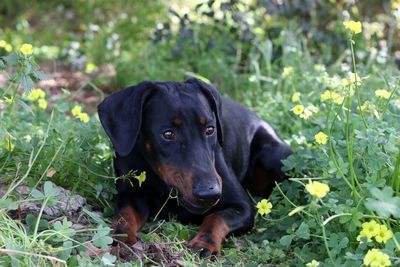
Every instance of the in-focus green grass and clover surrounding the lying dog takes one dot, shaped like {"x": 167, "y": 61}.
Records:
{"x": 360, "y": 162}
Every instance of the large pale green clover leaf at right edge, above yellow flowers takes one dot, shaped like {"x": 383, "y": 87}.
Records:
{"x": 384, "y": 203}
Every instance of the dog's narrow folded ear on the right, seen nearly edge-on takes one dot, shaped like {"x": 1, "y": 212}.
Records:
{"x": 214, "y": 98}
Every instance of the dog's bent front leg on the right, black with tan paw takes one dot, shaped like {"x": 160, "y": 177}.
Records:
{"x": 235, "y": 214}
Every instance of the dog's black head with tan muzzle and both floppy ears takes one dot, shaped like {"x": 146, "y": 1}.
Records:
{"x": 176, "y": 127}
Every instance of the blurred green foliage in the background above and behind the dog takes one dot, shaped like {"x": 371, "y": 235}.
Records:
{"x": 124, "y": 42}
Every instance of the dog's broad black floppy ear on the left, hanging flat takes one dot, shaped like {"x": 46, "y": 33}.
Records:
{"x": 121, "y": 115}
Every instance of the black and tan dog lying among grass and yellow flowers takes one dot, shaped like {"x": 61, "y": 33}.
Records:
{"x": 184, "y": 135}
